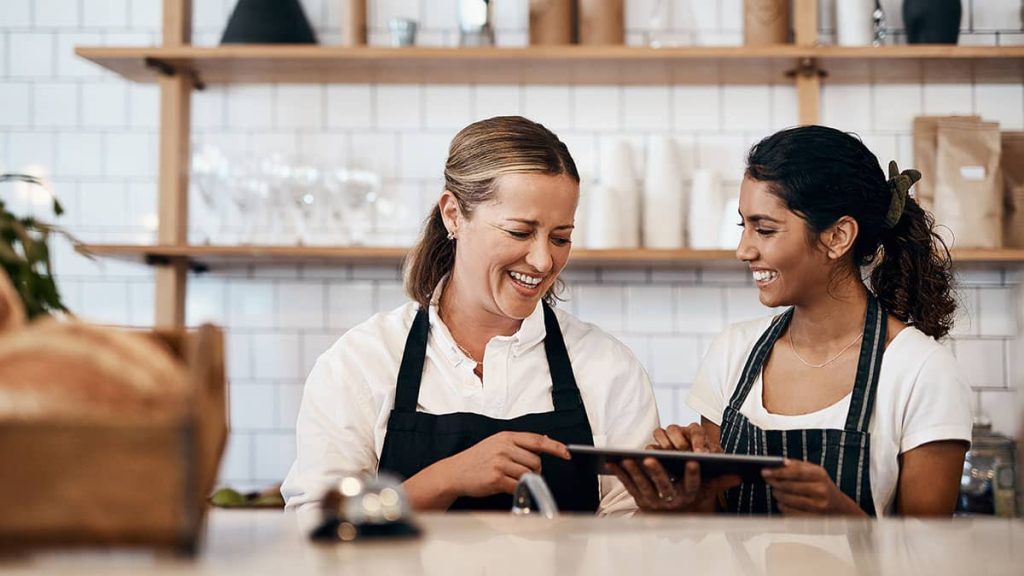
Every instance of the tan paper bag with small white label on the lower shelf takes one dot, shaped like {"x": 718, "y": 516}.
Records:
{"x": 969, "y": 185}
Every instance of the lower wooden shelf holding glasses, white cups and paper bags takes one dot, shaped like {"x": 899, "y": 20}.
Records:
{"x": 206, "y": 258}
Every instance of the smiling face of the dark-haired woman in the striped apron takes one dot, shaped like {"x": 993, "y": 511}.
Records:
{"x": 788, "y": 270}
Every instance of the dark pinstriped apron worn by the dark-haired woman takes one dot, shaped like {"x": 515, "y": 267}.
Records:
{"x": 845, "y": 455}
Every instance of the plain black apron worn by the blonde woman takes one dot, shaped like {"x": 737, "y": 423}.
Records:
{"x": 416, "y": 440}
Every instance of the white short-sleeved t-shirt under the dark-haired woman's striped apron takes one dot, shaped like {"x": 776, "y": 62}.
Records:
{"x": 921, "y": 398}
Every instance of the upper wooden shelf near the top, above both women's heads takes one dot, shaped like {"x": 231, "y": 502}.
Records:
{"x": 563, "y": 65}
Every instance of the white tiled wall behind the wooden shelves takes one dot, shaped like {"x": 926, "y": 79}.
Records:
{"x": 96, "y": 136}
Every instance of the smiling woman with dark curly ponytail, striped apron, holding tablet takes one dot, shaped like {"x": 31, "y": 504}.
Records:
{"x": 849, "y": 384}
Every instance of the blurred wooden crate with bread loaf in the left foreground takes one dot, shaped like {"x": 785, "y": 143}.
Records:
{"x": 110, "y": 437}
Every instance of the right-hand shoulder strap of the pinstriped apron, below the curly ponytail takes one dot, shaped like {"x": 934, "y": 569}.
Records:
{"x": 869, "y": 367}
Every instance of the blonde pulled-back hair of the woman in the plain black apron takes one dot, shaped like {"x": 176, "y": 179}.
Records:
{"x": 479, "y": 155}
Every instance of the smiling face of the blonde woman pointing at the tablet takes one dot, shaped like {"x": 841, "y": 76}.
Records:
{"x": 513, "y": 249}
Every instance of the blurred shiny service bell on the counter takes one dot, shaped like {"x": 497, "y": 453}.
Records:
{"x": 365, "y": 508}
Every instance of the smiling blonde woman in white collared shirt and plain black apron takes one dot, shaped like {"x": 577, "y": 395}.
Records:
{"x": 480, "y": 380}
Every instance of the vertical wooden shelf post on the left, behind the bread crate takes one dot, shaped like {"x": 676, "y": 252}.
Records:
{"x": 176, "y": 126}
